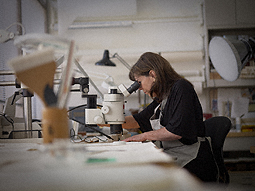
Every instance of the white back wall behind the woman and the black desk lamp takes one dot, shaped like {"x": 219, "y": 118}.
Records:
{"x": 172, "y": 27}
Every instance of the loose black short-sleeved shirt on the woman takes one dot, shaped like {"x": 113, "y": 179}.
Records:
{"x": 182, "y": 114}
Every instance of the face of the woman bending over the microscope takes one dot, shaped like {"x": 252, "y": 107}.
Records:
{"x": 146, "y": 82}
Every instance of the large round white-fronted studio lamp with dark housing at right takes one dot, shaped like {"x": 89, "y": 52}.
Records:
{"x": 229, "y": 56}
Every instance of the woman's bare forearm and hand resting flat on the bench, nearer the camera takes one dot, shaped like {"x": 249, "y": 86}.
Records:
{"x": 158, "y": 135}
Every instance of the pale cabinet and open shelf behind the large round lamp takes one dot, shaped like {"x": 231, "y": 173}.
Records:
{"x": 227, "y": 17}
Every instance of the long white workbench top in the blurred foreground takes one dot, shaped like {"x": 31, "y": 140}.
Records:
{"x": 25, "y": 165}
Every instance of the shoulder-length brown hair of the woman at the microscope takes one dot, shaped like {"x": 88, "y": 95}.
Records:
{"x": 166, "y": 76}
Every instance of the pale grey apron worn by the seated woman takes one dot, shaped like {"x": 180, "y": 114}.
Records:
{"x": 181, "y": 152}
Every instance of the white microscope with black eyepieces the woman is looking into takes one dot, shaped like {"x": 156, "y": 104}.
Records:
{"x": 112, "y": 109}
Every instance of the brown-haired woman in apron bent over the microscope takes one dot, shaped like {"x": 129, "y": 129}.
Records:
{"x": 174, "y": 117}
